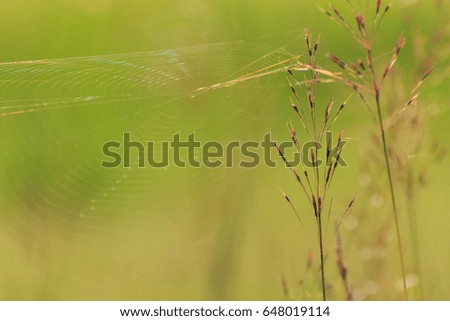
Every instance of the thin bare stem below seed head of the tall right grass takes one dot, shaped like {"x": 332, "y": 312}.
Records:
{"x": 391, "y": 187}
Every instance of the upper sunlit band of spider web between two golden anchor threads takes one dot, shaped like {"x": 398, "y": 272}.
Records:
{"x": 30, "y": 86}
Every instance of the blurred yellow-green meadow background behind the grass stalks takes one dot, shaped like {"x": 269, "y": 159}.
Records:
{"x": 75, "y": 74}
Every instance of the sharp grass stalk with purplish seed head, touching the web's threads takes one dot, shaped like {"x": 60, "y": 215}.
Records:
{"x": 316, "y": 125}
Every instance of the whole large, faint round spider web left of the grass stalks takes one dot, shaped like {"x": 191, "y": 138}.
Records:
{"x": 55, "y": 114}
